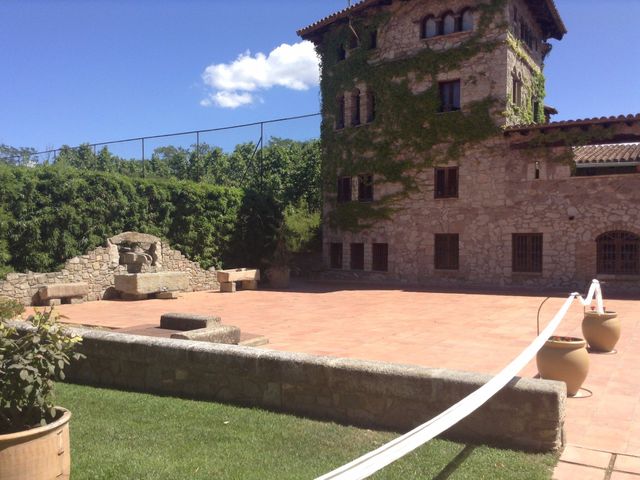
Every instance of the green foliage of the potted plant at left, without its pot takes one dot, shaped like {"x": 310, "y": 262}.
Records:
{"x": 29, "y": 364}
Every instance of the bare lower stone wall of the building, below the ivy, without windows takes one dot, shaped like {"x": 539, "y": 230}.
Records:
{"x": 499, "y": 196}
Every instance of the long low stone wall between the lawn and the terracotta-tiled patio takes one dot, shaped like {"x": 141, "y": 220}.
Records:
{"x": 527, "y": 414}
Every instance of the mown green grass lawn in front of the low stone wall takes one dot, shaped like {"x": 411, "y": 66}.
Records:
{"x": 122, "y": 435}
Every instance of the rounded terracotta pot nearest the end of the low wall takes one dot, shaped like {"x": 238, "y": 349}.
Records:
{"x": 564, "y": 359}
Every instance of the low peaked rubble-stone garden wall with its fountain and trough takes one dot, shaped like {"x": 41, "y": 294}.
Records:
{"x": 131, "y": 266}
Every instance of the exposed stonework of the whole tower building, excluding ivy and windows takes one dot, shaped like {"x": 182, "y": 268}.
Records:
{"x": 507, "y": 184}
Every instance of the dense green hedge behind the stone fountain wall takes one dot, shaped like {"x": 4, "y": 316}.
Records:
{"x": 49, "y": 214}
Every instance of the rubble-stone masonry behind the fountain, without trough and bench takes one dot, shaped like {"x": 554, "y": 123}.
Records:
{"x": 98, "y": 267}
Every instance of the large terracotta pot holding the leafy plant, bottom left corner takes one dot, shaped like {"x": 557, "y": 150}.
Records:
{"x": 37, "y": 454}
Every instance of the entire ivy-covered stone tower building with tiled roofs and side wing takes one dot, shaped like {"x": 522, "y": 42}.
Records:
{"x": 440, "y": 165}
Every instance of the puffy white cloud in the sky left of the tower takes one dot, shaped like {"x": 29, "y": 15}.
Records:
{"x": 290, "y": 66}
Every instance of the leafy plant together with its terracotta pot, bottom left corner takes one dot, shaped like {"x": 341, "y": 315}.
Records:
{"x": 34, "y": 434}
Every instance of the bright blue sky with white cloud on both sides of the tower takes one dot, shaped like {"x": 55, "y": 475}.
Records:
{"x": 78, "y": 71}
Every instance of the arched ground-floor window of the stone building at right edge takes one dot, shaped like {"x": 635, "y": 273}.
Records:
{"x": 618, "y": 253}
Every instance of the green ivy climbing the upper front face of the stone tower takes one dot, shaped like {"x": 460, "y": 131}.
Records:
{"x": 408, "y": 134}
